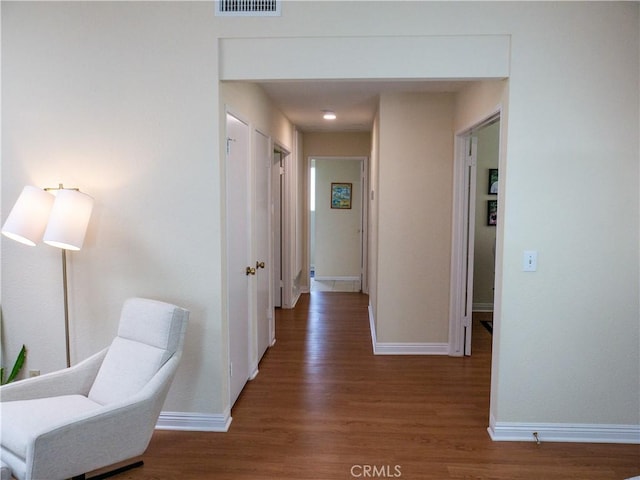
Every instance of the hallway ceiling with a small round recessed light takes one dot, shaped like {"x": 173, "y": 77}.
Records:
{"x": 354, "y": 102}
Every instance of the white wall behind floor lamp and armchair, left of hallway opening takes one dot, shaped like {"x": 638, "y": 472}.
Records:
{"x": 118, "y": 100}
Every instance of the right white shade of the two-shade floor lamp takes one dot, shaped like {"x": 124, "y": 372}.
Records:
{"x": 69, "y": 219}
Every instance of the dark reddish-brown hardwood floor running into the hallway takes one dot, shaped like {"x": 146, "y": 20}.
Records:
{"x": 323, "y": 407}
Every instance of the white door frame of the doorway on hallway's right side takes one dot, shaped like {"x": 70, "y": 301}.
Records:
{"x": 463, "y": 229}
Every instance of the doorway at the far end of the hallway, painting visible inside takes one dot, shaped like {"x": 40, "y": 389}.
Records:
{"x": 337, "y": 224}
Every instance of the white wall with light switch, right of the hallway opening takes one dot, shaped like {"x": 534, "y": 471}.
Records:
{"x": 586, "y": 286}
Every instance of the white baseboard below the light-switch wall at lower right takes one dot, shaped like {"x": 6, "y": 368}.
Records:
{"x": 564, "y": 432}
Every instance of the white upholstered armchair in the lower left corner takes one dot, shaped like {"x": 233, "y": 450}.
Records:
{"x": 101, "y": 411}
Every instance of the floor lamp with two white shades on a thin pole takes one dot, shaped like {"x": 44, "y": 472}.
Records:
{"x": 59, "y": 216}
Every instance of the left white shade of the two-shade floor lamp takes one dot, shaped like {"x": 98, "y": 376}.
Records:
{"x": 28, "y": 218}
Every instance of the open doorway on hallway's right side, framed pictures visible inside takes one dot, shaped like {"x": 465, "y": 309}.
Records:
{"x": 476, "y": 200}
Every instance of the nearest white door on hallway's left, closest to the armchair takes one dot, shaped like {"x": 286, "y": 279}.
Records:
{"x": 238, "y": 253}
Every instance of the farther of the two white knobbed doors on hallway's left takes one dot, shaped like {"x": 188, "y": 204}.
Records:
{"x": 264, "y": 311}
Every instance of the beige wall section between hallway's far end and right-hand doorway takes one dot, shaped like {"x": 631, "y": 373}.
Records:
{"x": 414, "y": 221}
